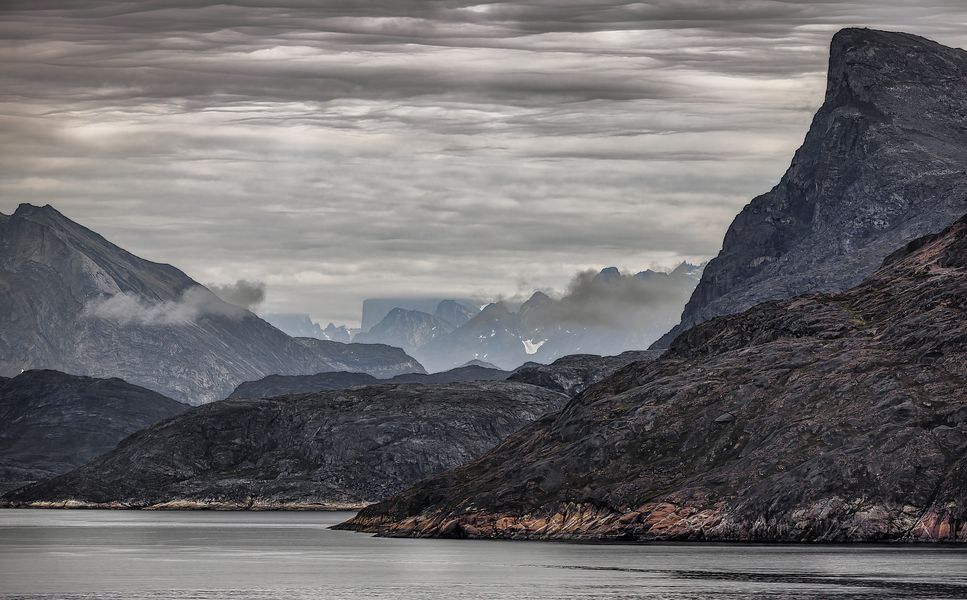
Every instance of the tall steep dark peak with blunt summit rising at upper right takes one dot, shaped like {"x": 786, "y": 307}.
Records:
{"x": 882, "y": 163}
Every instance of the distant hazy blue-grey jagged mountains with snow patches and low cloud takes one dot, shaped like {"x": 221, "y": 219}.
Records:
{"x": 604, "y": 313}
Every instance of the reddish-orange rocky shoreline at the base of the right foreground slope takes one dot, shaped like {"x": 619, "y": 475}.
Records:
{"x": 671, "y": 522}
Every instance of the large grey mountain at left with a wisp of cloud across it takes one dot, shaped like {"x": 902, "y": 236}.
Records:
{"x": 76, "y": 303}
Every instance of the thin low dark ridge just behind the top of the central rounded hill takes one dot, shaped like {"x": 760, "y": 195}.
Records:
{"x": 283, "y": 385}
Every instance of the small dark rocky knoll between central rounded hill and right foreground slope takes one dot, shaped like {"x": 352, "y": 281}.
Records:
{"x": 573, "y": 374}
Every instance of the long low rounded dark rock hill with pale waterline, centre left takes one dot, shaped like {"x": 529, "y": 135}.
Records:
{"x": 330, "y": 449}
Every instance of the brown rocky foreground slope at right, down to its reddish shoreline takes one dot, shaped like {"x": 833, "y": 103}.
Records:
{"x": 826, "y": 418}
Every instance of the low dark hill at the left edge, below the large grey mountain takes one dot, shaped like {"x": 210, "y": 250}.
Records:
{"x": 51, "y": 422}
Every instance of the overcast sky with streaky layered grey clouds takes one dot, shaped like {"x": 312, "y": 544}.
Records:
{"x": 334, "y": 151}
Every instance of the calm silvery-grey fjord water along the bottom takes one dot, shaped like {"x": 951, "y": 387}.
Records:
{"x": 48, "y": 554}
